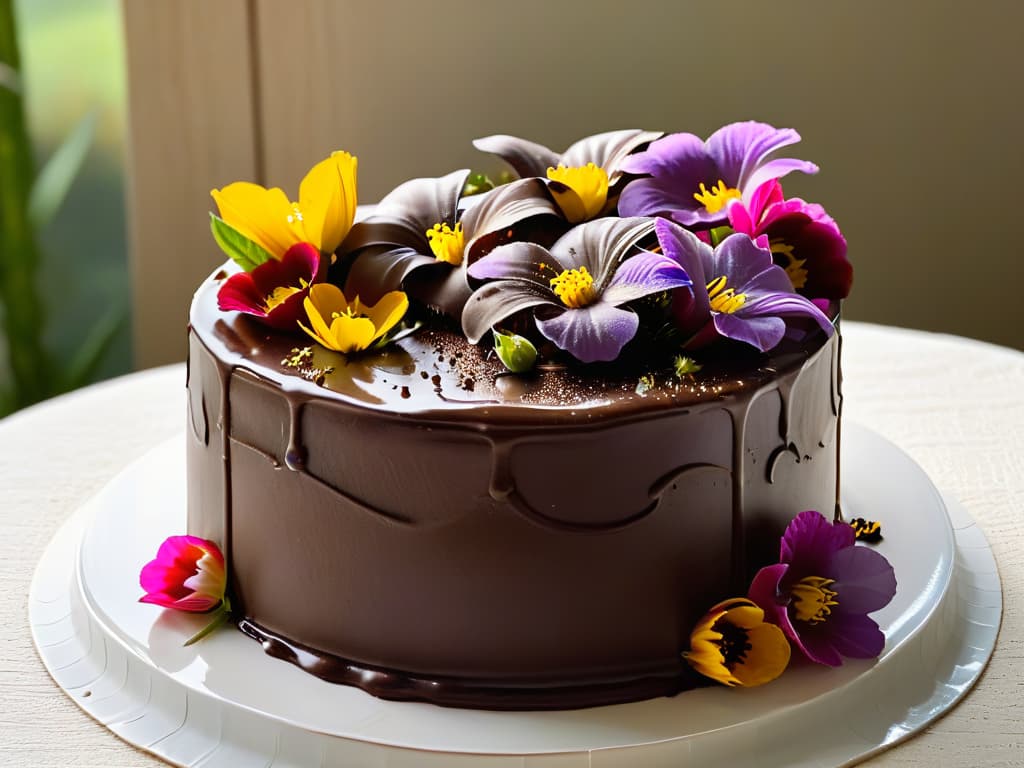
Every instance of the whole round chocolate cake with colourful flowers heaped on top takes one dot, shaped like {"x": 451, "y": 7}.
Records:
{"x": 504, "y": 446}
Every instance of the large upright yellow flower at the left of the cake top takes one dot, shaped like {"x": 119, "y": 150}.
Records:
{"x": 323, "y": 217}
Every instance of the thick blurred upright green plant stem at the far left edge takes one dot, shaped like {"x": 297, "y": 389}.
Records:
{"x": 21, "y": 305}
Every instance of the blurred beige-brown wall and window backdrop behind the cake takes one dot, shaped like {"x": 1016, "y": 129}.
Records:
{"x": 913, "y": 110}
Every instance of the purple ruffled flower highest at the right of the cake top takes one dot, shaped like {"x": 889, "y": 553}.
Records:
{"x": 694, "y": 182}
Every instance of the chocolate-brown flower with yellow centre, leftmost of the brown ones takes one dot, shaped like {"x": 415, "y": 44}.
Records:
{"x": 419, "y": 240}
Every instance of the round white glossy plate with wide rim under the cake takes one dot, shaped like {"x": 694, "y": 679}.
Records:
{"x": 225, "y": 703}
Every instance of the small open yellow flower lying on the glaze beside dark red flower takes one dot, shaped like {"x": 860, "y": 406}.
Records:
{"x": 350, "y": 326}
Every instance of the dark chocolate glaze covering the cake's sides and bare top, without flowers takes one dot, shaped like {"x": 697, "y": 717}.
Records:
{"x": 422, "y": 526}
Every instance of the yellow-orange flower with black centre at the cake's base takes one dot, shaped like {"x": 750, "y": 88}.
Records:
{"x": 735, "y": 646}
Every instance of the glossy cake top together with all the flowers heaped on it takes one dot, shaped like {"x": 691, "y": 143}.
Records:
{"x": 633, "y": 269}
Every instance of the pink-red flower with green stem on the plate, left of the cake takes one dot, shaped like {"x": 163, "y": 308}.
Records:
{"x": 188, "y": 575}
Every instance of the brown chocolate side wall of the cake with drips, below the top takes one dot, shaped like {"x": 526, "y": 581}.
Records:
{"x": 506, "y": 559}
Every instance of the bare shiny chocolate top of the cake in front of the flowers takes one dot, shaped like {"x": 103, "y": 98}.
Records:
{"x": 437, "y": 371}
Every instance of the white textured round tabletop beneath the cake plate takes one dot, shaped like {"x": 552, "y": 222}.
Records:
{"x": 956, "y": 406}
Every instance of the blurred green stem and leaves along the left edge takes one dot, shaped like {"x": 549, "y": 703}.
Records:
{"x": 27, "y": 202}
